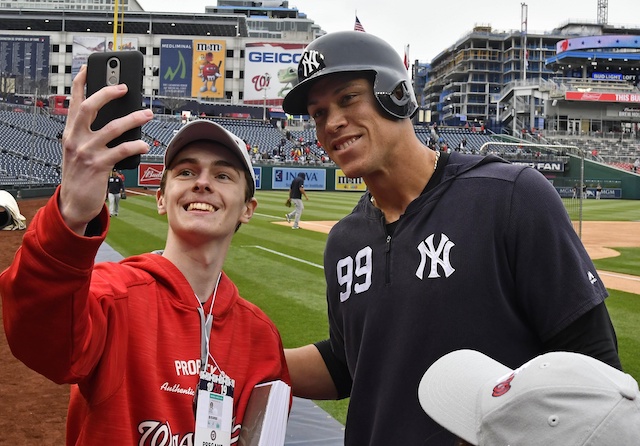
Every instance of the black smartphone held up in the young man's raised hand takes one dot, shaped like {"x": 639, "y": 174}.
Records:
{"x": 112, "y": 68}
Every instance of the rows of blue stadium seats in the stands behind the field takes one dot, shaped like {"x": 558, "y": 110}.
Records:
{"x": 31, "y": 152}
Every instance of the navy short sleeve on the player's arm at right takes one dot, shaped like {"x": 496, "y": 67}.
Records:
{"x": 557, "y": 281}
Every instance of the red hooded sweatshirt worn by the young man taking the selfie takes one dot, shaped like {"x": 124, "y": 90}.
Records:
{"x": 127, "y": 336}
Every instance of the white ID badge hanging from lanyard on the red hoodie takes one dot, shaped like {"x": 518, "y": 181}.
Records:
{"x": 214, "y": 411}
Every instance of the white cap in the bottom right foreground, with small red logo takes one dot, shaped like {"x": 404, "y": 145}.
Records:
{"x": 558, "y": 398}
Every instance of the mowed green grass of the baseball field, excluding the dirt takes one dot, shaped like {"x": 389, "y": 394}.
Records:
{"x": 281, "y": 270}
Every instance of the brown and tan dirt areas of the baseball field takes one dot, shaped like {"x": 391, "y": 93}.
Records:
{"x": 33, "y": 409}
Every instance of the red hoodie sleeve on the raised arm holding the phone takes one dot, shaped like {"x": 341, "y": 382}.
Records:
{"x": 50, "y": 322}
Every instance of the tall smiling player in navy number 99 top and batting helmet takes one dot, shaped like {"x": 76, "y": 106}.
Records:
{"x": 443, "y": 251}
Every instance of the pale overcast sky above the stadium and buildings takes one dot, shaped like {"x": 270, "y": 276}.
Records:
{"x": 429, "y": 27}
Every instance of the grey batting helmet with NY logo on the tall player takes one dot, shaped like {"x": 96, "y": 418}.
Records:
{"x": 354, "y": 51}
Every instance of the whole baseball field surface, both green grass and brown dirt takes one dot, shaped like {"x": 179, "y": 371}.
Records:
{"x": 281, "y": 271}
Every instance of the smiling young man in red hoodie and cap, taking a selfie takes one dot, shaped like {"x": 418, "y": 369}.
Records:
{"x": 159, "y": 348}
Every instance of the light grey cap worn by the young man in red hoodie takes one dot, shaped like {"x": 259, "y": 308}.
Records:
{"x": 204, "y": 129}
